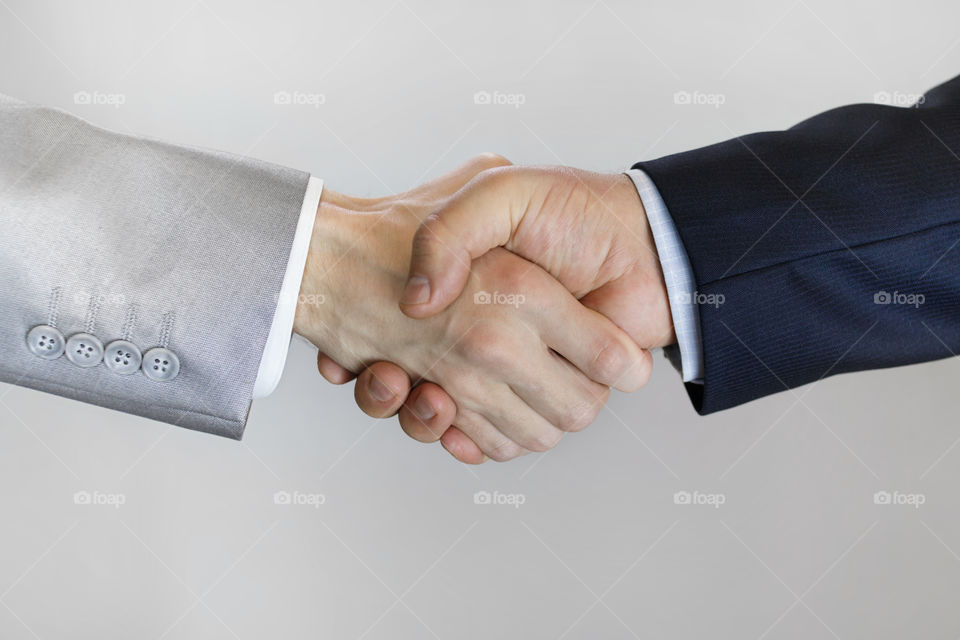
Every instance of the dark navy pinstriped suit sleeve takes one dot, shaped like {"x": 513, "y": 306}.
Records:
{"x": 827, "y": 248}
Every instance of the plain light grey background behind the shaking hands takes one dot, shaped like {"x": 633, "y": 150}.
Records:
{"x": 399, "y": 549}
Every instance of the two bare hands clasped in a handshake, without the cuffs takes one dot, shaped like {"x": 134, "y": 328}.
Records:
{"x": 492, "y": 308}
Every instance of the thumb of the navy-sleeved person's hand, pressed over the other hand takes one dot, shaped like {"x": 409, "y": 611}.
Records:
{"x": 480, "y": 217}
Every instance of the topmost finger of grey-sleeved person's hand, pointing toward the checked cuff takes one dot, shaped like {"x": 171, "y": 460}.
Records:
{"x": 592, "y": 342}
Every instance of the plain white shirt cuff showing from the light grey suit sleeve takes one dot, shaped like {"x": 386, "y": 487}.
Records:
{"x": 278, "y": 341}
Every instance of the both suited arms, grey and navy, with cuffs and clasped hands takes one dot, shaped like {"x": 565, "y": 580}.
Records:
{"x": 493, "y": 308}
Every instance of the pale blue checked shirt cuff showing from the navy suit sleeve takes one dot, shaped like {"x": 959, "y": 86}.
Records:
{"x": 678, "y": 275}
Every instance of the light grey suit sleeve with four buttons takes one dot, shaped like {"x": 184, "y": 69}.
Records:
{"x": 126, "y": 238}
